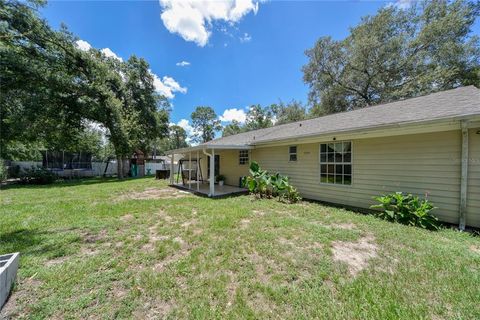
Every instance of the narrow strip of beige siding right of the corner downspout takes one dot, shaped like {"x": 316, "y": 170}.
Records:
{"x": 473, "y": 189}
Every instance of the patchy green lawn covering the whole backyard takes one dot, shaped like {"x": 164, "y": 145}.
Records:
{"x": 89, "y": 249}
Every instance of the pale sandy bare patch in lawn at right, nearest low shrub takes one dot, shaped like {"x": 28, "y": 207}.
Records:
{"x": 355, "y": 254}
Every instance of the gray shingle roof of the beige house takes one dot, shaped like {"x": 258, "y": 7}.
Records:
{"x": 450, "y": 104}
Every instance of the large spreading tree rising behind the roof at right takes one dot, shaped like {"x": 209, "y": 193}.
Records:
{"x": 393, "y": 55}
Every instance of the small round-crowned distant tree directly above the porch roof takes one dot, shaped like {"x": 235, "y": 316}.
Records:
{"x": 205, "y": 123}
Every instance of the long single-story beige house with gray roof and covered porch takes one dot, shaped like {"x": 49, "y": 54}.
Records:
{"x": 429, "y": 146}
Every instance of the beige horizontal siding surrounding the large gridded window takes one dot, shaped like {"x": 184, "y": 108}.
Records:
{"x": 420, "y": 163}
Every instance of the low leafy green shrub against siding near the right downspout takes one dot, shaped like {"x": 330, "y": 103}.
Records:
{"x": 407, "y": 209}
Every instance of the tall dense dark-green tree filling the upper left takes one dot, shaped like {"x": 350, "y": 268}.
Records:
{"x": 51, "y": 90}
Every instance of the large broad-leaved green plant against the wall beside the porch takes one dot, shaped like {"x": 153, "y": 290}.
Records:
{"x": 264, "y": 184}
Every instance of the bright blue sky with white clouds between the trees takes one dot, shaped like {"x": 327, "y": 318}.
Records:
{"x": 224, "y": 54}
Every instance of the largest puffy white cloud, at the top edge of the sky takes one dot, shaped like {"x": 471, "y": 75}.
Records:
{"x": 192, "y": 19}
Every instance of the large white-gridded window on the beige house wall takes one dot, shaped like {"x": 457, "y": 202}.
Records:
{"x": 336, "y": 163}
